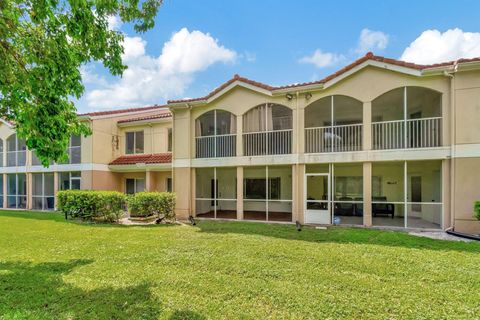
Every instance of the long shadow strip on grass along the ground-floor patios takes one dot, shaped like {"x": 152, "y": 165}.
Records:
{"x": 336, "y": 235}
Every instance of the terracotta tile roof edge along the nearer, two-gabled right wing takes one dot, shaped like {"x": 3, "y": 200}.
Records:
{"x": 368, "y": 56}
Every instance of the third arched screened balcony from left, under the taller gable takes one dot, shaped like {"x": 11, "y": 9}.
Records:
{"x": 334, "y": 124}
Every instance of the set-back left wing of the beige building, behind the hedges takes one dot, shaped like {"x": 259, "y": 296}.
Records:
{"x": 128, "y": 151}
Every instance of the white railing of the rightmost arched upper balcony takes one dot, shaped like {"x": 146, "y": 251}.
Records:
{"x": 419, "y": 133}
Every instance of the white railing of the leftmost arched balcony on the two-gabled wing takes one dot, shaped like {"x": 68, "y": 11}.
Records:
{"x": 216, "y": 146}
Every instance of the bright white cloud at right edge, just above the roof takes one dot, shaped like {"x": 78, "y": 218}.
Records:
{"x": 433, "y": 46}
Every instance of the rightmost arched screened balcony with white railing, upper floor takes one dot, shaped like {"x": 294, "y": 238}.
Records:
{"x": 407, "y": 117}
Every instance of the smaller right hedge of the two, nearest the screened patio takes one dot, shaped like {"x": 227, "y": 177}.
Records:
{"x": 146, "y": 204}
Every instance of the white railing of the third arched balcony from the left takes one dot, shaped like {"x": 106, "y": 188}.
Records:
{"x": 333, "y": 139}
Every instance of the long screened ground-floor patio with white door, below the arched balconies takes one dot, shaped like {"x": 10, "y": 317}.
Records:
{"x": 403, "y": 194}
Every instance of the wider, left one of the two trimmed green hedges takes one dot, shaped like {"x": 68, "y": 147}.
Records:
{"x": 91, "y": 204}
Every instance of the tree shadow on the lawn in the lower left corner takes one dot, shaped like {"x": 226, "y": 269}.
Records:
{"x": 38, "y": 291}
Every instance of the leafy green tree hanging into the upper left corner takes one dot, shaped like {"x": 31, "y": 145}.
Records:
{"x": 43, "y": 44}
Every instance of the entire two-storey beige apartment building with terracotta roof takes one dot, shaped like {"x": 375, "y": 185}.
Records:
{"x": 381, "y": 143}
